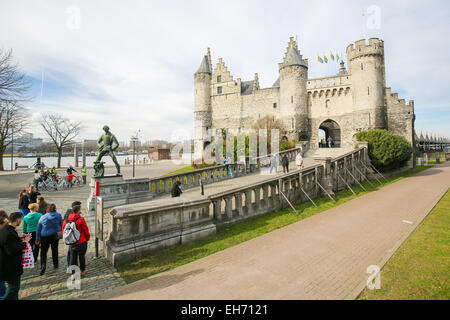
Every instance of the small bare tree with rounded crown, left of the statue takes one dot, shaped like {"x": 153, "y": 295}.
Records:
{"x": 61, "y": 131}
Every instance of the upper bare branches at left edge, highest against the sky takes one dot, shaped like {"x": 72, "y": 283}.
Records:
{"x": 13, "y": 84}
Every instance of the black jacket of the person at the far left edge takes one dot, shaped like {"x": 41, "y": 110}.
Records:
{"x": 11, "y": 247}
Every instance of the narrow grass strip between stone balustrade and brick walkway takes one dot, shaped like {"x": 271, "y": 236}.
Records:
{"x": 225, "y": 238}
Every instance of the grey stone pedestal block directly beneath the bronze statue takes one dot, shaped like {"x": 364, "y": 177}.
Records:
{"x": 113, "y": 189}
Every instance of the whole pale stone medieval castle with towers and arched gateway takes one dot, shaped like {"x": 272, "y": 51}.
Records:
{"x": 341, "y": 105}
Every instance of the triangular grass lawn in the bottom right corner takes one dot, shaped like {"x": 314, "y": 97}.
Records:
{"x": 420, "y": 269}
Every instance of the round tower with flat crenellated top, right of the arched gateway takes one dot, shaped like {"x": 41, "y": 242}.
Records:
{"x": 366, "y": 65}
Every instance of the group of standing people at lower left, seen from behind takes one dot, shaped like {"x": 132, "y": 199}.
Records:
{"x": 42, "y": 231}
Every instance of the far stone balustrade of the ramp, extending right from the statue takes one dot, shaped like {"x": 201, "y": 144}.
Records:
{"x": 118, "y": 191}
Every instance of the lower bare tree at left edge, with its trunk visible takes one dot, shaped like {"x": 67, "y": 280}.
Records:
{"x": 12, "y": 124}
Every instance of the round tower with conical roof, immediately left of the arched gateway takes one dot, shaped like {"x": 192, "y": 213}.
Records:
{"x": 293, "y": 94}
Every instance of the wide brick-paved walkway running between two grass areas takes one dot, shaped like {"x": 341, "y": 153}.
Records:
{"x": 322, "y": 257}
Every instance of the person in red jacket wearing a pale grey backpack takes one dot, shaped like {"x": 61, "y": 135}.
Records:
{"x": 76, "y": 234}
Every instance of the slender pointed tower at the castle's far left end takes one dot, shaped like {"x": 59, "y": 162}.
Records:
{"x": 202, "y": 103}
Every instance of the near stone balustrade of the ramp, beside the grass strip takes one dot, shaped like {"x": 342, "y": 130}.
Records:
{"x": 138, "y": 229}
